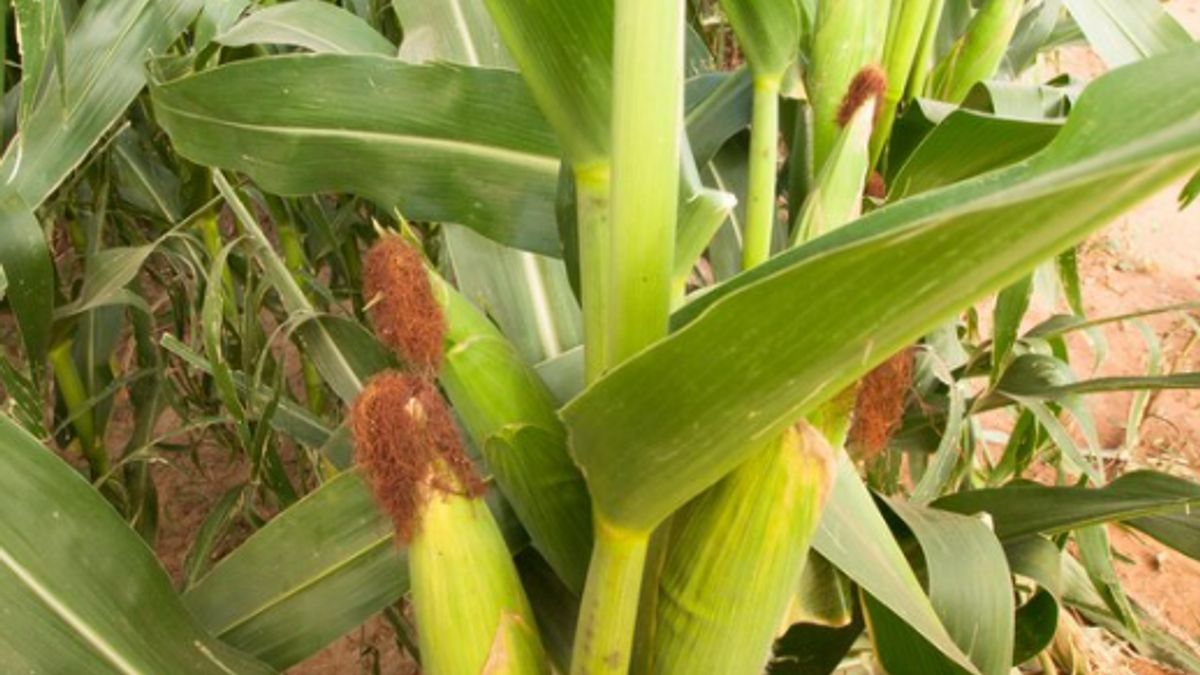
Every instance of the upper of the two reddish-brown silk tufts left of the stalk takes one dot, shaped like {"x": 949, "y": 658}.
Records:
{"x": 405, "y": 313}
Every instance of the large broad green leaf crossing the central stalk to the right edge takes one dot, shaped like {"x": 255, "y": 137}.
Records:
{"x": 775, "y": 343}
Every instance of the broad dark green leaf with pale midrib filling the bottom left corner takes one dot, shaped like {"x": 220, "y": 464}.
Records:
{"x": 80, "y": 589}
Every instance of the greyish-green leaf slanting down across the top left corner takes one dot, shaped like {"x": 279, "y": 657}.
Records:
{"x": 105, "y": 69}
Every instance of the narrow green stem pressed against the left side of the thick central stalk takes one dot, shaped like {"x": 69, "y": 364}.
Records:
{"x": 592, "y": 187}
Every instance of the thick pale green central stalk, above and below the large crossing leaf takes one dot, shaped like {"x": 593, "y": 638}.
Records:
{"x": 647, "y": 126}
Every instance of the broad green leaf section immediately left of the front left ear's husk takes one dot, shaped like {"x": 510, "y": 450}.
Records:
{"x": 316, "y": 572}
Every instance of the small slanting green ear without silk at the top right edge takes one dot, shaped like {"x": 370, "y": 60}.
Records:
{"x": 979, "y": 52}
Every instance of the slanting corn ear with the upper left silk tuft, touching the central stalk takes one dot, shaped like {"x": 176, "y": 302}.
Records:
{"x": 503, "y": 405}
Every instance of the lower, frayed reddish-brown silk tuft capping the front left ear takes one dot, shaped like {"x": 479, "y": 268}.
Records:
{"x": 406, "y": 440}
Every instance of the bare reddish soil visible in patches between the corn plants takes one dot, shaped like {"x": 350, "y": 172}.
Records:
{"x": 1149, "y": 259}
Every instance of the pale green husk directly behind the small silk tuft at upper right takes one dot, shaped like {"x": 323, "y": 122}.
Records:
{"x": 850, "y": 34}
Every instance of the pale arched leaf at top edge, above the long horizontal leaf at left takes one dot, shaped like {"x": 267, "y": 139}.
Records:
{"x": 310, "y": 25}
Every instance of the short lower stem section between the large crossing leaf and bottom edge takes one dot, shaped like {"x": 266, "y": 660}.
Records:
{"x": 609, "y": 611}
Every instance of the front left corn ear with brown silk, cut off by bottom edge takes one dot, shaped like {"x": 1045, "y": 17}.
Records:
{"x": 464, "y": 582}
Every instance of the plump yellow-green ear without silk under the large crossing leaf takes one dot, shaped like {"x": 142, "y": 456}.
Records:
{"x": 735, "y": 559}
